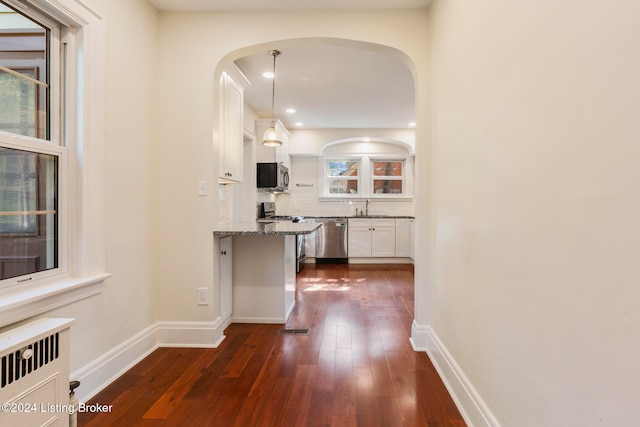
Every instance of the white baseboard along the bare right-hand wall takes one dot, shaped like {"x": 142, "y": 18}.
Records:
{"x": 470, "y": 404}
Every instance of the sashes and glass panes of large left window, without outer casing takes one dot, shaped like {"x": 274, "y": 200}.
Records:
{"x": 30, "y": 150}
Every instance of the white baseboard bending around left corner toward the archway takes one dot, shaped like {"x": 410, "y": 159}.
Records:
{"x": 98, "y": 374}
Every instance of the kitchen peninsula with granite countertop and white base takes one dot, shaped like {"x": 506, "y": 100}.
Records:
{"x": 262, "y": 282}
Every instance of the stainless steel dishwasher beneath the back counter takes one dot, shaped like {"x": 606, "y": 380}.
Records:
{"x": 331, "y": 241}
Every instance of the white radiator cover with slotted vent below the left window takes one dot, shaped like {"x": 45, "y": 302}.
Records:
{"x": 34, "y": 382}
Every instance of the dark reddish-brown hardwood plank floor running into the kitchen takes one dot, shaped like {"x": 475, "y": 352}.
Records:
{"x": 356, "y": 366}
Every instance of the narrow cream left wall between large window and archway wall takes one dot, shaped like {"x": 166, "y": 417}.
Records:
{"x": 125, "y": 306}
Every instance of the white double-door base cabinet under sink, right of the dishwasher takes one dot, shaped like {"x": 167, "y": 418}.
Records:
{"x": 372, "y": 237}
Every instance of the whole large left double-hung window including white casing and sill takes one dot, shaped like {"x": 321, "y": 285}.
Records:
{"x": 51, "y": 155}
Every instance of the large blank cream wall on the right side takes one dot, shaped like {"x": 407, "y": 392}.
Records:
{"x": 535, "y": 141}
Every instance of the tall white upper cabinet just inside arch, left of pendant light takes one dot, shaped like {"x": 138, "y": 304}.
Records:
{"x": 232, "y": 84}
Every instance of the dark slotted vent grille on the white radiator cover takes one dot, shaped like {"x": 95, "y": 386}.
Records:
{"x": 14, "y": 366}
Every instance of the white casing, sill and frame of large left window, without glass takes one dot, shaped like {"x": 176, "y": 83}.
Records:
{"x": 81, "y": 267}
